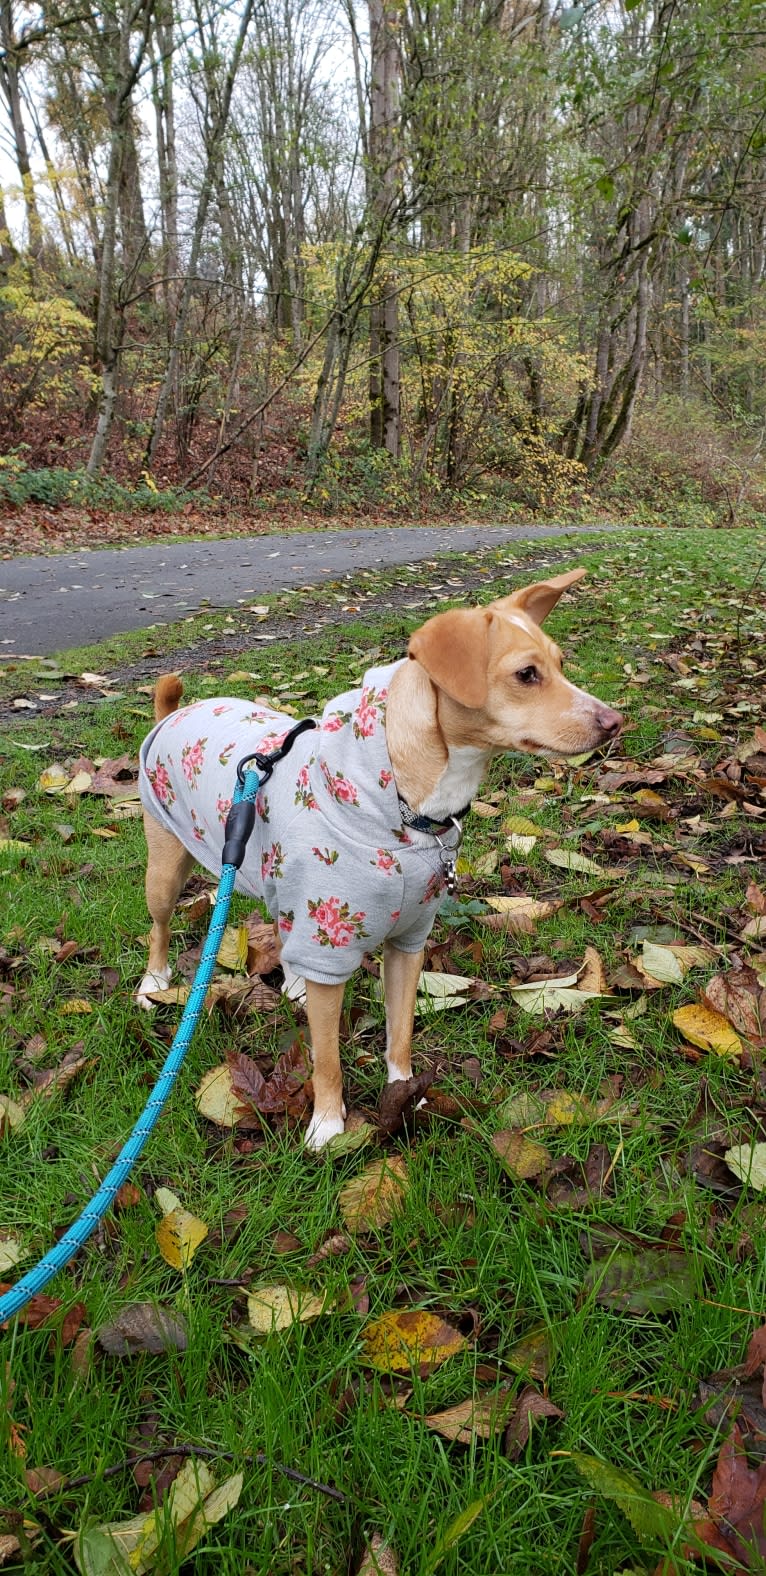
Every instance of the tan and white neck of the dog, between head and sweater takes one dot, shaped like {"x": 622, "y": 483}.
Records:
{"x": 433, "y": 775}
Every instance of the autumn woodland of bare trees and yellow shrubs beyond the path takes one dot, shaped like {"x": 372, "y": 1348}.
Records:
{"x": 411, "y": 256}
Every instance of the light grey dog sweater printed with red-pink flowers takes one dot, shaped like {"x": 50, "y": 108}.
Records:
{"x": 329, "y": 852}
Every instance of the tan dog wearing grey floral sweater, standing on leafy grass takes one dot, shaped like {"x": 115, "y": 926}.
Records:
{"x": 357, "y": 831}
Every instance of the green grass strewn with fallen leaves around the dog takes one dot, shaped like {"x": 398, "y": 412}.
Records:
{"x": 474, "y": 1246}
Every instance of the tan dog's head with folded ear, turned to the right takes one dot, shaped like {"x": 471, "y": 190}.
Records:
{"x": 500, "y": 669}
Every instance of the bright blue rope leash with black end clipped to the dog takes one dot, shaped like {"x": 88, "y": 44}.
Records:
{"x": 239, "y": 828}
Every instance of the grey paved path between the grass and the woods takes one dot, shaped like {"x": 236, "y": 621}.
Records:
{"x": 73, "y": 600}
